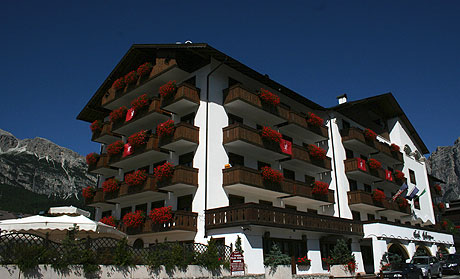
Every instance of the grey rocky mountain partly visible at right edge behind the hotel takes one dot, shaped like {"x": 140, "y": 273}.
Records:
{"x": 444, "y": 163}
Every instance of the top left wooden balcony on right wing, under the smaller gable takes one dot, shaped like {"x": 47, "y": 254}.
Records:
{"x": 354, "y": 139}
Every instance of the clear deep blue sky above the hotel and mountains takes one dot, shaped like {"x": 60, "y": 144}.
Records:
{"x": 55, "y": 54}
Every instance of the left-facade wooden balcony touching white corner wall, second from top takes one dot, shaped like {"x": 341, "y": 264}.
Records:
{"x": 185, "y": 138}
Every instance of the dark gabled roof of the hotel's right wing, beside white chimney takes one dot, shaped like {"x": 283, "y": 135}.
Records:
{"x": 385, "y": 105}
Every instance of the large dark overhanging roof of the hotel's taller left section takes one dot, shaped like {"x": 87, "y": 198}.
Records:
{"x": 189, "y": 57}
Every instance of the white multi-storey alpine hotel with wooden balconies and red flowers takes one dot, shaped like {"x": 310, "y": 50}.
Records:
{"x": 249, "y": 157}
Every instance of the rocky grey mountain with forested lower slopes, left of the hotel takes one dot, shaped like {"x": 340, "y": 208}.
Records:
{"x": 41, "y": 171}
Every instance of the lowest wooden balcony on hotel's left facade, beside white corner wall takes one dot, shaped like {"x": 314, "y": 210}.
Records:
{"x": 182, "y": 221}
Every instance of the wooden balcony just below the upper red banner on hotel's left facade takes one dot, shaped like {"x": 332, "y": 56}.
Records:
{"x": 143, "y": 120}
